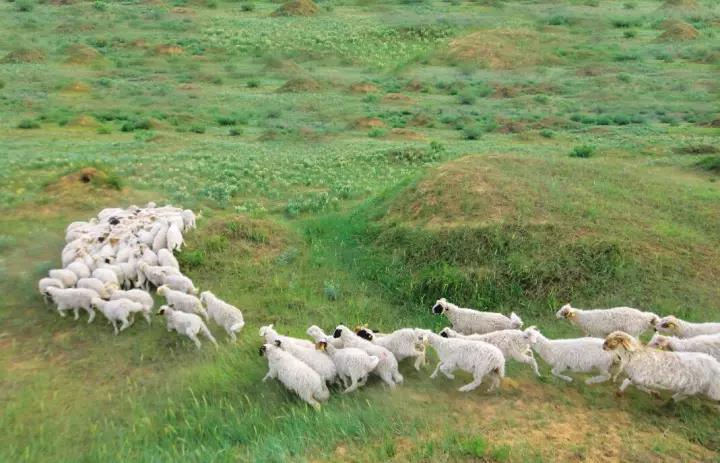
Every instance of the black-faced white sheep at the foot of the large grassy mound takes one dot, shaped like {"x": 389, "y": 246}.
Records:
{"x": 469, "y": 321}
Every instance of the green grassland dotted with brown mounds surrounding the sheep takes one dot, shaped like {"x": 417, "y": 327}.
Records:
{"x": 353, "y": 166}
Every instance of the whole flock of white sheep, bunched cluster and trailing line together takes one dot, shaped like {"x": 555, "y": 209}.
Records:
{"x": 111, "y": 262}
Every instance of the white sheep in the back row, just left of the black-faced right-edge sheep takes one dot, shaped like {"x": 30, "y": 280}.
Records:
{"x": 601, "y": 322}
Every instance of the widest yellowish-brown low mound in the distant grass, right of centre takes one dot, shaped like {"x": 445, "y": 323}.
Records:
{"x": 496, "y": 48}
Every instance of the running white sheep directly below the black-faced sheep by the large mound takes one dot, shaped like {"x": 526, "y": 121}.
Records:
{"x": 476, "y": 357}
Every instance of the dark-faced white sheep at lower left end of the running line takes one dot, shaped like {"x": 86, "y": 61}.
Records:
{"x": 295, "y": 375}
